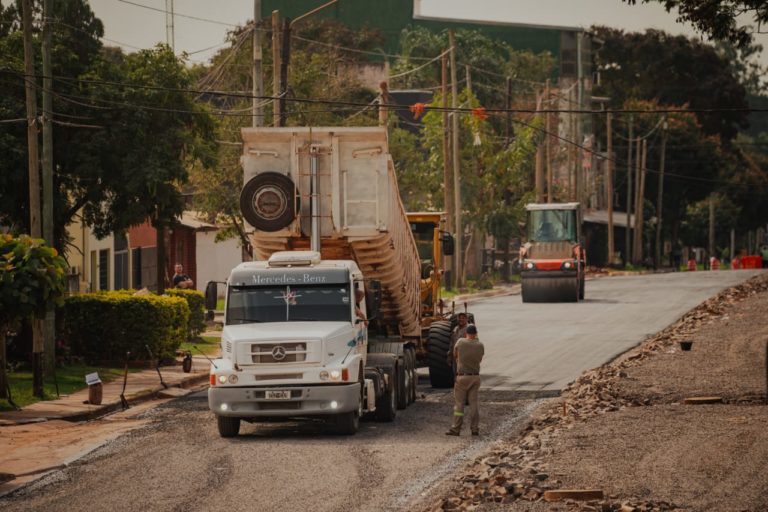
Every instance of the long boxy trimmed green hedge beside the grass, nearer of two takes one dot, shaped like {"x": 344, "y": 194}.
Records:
{"x": 104, "y": 326}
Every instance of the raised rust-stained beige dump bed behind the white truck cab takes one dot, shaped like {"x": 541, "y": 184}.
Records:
{"x": 358, "y": 212}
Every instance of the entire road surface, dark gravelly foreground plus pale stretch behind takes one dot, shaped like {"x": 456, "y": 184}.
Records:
{"x": 178, "y": 461}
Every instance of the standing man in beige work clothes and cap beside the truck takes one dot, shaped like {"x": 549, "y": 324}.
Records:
{"x": 468, "y": 354}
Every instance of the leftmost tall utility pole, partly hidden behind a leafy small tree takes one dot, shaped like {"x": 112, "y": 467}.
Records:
{"x": 34, "y": 182}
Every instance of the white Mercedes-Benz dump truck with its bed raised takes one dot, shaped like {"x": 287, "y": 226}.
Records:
{"x": 335, "y": 314}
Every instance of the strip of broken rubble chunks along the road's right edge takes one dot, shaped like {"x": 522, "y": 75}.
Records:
{"x": 515, "y": 470}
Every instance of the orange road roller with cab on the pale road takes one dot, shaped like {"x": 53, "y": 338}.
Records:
{"x": 553, "y": 260}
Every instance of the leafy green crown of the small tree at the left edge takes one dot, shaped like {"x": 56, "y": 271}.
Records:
{"x": 32, "y": 278}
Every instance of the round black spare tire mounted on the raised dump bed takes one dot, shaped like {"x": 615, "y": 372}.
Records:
{"x": 269, "y": 201}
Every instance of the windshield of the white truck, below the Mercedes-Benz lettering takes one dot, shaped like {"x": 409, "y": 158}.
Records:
{"x": 289, "y": 303}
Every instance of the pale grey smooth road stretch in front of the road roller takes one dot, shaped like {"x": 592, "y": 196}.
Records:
{"x": 543, "y": 347}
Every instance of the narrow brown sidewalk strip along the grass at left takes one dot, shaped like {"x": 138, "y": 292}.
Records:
{"x": 142, "y": 385}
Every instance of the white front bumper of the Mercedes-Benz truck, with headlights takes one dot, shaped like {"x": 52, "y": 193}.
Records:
{"x": 248, "y": 402}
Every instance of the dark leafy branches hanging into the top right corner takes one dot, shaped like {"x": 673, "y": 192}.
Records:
{"x": 717, "y": 18}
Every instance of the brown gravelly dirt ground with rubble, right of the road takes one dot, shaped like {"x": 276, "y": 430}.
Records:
{"x": 625, "y": 429}
